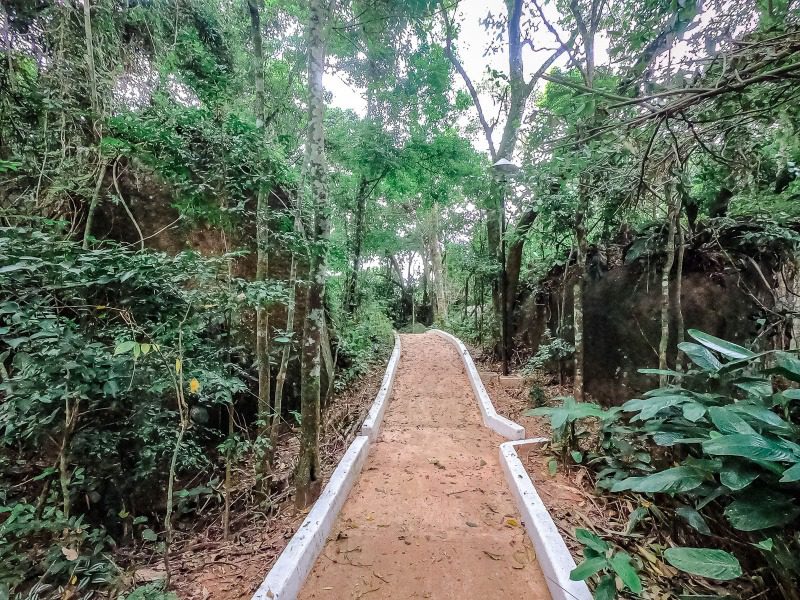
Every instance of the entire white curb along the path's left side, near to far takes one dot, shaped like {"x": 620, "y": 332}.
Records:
{"x": 289, "y": 572}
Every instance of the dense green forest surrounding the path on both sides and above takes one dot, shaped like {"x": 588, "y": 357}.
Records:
{"x": 213, "y": 215}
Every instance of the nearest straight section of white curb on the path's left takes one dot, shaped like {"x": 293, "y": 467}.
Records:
{"x": 288, "y": 575}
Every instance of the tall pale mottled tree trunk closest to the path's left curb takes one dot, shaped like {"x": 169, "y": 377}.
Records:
{"x": 308, "y": 477}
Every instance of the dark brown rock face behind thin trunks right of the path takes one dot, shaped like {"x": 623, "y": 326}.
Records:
{"x": 723, "y": 293}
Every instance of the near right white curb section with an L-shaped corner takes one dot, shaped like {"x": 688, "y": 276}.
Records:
{"x": 553, "y": 555}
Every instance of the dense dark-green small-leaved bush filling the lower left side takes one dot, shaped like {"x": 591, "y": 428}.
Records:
{"x": 87, "y": 428}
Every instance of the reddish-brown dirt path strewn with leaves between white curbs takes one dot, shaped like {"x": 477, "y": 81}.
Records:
{"x": 431, "y": 515}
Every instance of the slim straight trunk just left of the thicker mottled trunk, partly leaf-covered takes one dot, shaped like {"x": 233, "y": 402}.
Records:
{"x": 262, "y": 262}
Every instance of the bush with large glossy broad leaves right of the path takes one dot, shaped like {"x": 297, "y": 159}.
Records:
{"x": 719, "y": 447}
